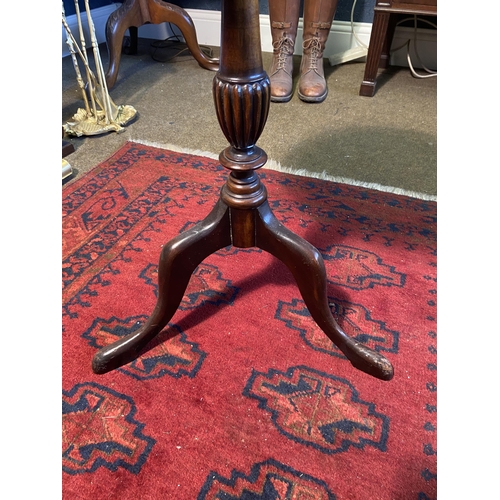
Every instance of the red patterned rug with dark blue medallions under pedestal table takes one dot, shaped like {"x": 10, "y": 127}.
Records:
{"x": 242, "y": 396}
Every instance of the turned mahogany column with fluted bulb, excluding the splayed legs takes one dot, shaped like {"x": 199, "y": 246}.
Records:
{"x": 241, "y": 91}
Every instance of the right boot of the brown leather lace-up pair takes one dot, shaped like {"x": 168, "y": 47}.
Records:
{"x": 318, "y": 17}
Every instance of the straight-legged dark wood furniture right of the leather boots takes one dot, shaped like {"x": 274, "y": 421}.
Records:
{"x": 384, "y": 25}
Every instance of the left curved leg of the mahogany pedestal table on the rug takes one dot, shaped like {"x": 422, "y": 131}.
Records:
{"x": 179, "y": 258}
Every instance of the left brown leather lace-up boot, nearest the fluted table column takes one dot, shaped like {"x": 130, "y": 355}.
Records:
{"x": 284, "y": 16}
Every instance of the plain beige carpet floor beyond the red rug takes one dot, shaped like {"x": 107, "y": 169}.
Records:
{"x": 388, "y": 141}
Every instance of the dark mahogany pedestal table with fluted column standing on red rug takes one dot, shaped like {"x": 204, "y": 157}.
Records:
{"x": 242, "y": 216}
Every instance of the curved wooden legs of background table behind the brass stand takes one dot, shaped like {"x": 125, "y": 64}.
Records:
{"x": 134, "y": 13}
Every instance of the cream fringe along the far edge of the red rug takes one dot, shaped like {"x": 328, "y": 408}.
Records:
{"x": 275, "y": 165}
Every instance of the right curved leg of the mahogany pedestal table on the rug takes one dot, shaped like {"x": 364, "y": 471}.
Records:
{"x": 307, "y": 266}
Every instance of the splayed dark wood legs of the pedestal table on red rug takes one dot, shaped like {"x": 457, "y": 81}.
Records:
{"x": 243, "y": 228}
